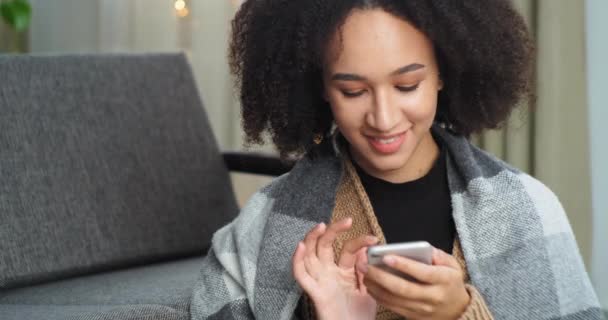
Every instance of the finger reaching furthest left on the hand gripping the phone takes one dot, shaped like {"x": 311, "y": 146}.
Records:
{"x": 396, "y": 285}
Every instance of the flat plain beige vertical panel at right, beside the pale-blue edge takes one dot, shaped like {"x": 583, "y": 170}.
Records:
{"x": 562, "y": 156}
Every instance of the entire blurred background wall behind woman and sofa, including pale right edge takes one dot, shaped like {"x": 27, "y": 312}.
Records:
{"x": 562, "y": 143}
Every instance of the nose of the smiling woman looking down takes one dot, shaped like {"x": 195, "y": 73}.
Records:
{"x": 384, "y": 114}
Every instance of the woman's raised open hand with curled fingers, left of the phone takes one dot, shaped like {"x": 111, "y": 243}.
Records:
{"x": 337, "y": 290}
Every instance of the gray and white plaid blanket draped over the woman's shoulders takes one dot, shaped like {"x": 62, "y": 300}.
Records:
{"x": 518, "y": 244}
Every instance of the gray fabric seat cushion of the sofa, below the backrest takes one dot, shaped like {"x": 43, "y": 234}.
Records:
{"x": 158, "y": 291}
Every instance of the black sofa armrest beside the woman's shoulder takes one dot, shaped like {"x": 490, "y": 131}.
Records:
{"x": 256, "y": 163}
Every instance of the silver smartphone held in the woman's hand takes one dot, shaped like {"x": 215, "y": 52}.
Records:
{"x": 420, "y": 251}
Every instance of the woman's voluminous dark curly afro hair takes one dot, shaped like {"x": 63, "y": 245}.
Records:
{"x": 483, "y": 48}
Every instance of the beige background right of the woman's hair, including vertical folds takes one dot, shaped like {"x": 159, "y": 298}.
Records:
{"x": 551, "y": 142}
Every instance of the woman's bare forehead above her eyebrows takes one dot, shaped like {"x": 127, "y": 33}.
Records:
{"x": 375, "y": 39}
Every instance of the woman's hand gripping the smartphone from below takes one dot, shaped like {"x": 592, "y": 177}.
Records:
{"x": 440, "y": 293}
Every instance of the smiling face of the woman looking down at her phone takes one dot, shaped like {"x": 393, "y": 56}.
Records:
{"x": 382, "y": 81}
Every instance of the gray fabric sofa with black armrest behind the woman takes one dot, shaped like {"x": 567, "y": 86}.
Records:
{"x": 111, "y": 186}
